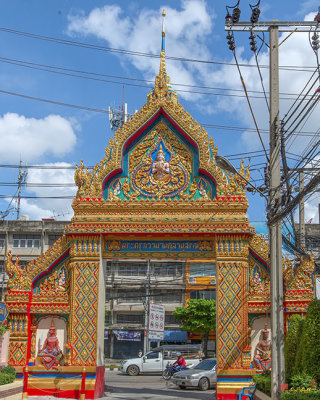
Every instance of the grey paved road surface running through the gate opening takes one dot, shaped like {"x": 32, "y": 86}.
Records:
{"x": 144, "y": 387}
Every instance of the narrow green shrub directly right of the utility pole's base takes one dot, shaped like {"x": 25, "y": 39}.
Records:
{"x": 291, "y": 344}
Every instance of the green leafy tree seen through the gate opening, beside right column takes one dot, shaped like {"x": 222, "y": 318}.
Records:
{"x": 198, "y": 316}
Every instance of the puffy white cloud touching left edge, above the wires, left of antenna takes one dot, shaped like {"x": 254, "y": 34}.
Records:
{"x": 30, "y": 138}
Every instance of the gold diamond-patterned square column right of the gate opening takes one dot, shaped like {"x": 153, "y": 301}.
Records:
{"x": 232, "y": 317}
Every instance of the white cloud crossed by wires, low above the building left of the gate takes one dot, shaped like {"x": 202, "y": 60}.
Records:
{"x": 49, "y": 207}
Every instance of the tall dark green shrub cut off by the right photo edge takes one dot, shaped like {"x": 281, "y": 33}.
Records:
{"x": 310, "y": 342}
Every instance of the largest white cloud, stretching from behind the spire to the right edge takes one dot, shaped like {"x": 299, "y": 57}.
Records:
{"x": 188, "y": 31}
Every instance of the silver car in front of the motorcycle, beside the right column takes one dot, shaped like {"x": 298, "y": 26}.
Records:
{"x": 203, "y": 376}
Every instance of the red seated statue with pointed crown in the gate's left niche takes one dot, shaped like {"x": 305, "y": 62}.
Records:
{"x": 50, "y": 353}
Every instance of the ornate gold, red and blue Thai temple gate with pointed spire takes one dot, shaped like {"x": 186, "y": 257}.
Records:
{"x": 157, "y": 193}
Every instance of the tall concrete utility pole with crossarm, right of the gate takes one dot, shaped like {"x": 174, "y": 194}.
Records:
{"x": 274, "y": 203}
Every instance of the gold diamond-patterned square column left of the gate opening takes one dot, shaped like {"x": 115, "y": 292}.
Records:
{"x": 87, "y": 305}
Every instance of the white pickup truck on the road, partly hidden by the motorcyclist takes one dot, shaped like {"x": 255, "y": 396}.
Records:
{"x": 154, "y": 361}
